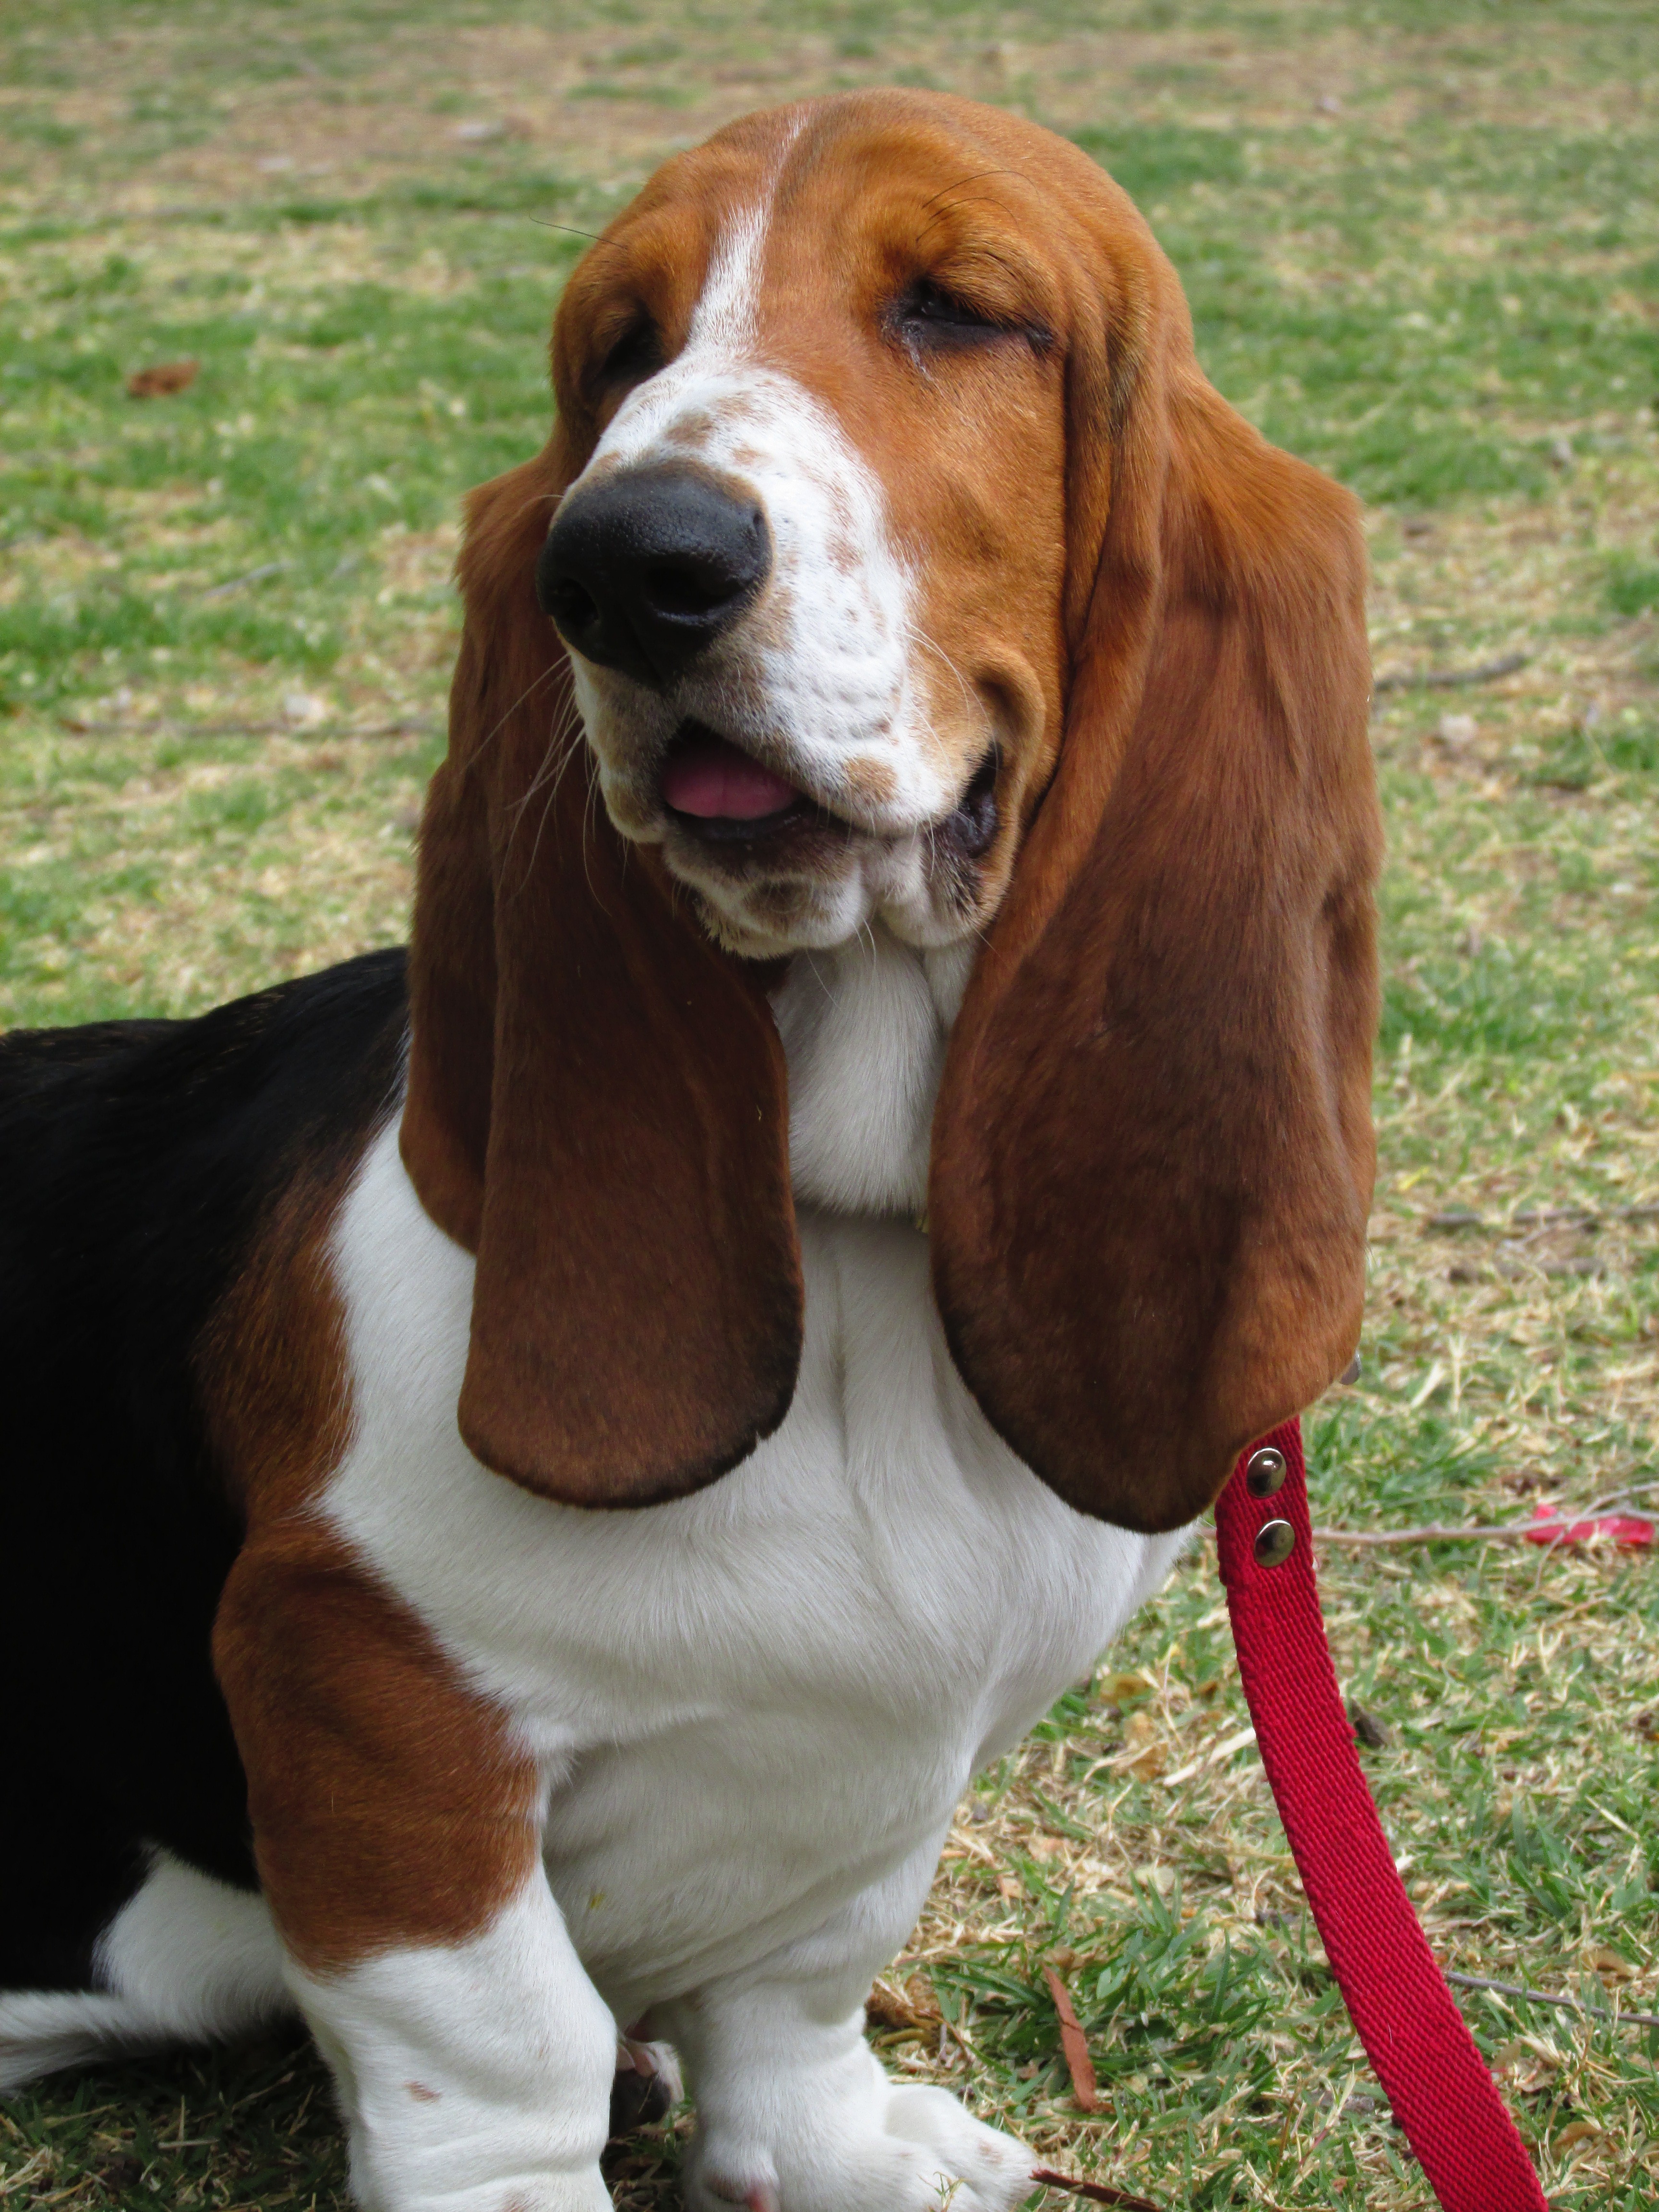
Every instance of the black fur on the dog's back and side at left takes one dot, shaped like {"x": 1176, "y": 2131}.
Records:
{"x": 136, "y": 1165}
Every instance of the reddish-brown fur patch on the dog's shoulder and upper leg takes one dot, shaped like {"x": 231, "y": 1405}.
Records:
{"x": 390, "y": 1802}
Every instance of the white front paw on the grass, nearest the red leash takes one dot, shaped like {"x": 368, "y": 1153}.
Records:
{"x": 917, "y": 2151}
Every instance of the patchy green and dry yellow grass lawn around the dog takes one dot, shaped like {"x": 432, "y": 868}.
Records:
{"x": 1423, "y": 249}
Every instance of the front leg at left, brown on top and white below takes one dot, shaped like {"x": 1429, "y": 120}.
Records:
{"x": 397, "y": 1828}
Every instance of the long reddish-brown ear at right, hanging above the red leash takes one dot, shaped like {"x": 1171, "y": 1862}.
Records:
{"x": 1154, "y": 1149}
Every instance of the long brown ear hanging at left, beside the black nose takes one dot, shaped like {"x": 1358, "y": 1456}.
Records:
{"x": 596, "y": 1094}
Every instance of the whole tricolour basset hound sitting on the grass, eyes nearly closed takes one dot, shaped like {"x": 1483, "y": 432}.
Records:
{"x": 541, "y": 1472}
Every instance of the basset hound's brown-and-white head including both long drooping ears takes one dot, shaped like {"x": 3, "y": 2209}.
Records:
{"x": 908, "y": 570}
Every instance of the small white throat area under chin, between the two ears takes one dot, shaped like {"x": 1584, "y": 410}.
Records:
{"x": 864, "y": 1030}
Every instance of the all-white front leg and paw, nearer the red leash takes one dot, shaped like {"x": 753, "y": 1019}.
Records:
{"x": 795, "y": 2111}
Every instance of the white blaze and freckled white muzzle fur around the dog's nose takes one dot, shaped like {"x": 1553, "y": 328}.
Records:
{"x": 815, "y": 678}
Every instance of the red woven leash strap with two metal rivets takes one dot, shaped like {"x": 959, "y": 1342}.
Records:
{"x": 1406, "y": 2016}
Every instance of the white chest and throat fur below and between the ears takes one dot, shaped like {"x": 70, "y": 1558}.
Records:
{"x": 758, "y": 1702}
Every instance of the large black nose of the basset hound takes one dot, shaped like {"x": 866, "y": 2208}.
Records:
{"x": 649, "y": 567}
